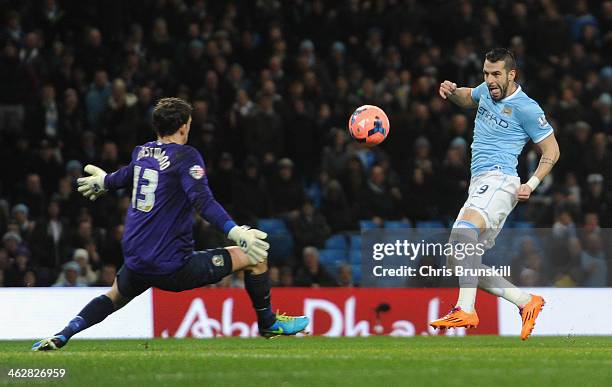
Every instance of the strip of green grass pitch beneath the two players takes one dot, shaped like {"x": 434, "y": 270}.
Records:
{"x": 320, "y": 361}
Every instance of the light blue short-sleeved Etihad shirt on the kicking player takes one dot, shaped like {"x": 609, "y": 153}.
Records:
{"x": 501, "y": 130}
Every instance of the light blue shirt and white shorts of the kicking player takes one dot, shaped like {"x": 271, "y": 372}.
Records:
{"x": 501, "y": 130}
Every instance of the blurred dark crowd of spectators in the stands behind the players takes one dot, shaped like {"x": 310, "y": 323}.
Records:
{"x": 273, "y": 84}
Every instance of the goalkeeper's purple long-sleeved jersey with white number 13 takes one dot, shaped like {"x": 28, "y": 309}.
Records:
{"x": 168, "y": 184}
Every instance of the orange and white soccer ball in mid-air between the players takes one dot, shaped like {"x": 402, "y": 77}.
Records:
{"x": 369, "y": 125}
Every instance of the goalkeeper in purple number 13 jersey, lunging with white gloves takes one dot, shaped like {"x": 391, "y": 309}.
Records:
{"x": 169, "y": 184}
